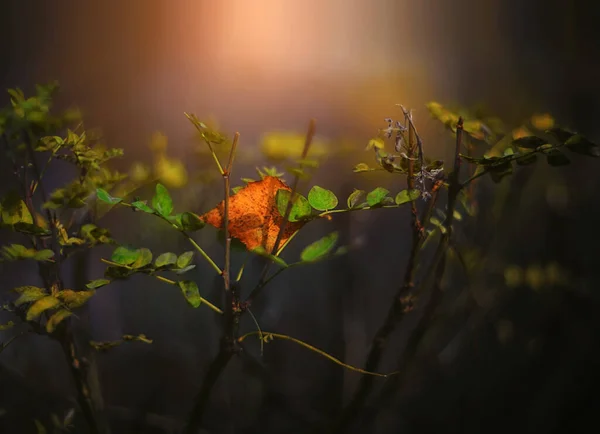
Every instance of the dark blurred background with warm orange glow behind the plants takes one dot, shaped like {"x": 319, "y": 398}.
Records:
{"x": 498, "y": 357}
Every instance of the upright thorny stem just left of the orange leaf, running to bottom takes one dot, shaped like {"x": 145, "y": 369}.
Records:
{"x": 228, "y": 345}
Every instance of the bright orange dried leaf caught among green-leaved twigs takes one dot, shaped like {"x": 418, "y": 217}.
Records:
{"x": 253, "y": 215}
